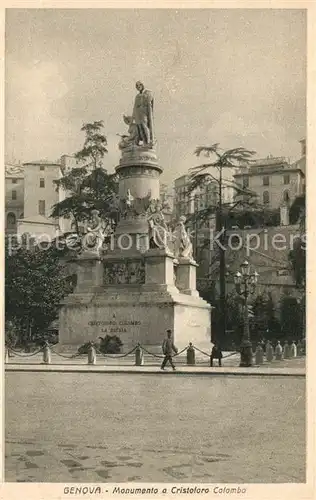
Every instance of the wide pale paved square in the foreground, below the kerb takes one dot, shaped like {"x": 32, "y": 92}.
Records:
{"x": 82, "y": 427}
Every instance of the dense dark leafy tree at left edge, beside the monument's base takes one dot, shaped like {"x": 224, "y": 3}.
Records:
{"x": 35, "y": 284}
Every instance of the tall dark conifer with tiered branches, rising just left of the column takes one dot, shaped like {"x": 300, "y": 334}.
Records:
{"x": 89, "y": 186}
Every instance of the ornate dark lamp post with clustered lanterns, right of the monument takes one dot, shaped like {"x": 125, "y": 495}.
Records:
{"x": 245, "y": 283}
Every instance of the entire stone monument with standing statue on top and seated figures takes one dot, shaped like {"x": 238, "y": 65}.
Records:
{"x": 145, "y": 281}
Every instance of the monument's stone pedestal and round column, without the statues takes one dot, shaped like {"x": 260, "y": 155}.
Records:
{"x": 132, "y": 291}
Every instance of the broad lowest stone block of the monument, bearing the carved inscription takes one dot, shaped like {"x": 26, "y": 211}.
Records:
{"x": 136, "y": 314}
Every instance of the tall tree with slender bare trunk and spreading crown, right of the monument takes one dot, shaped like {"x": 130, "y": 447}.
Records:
{"x": 201, "y": 176}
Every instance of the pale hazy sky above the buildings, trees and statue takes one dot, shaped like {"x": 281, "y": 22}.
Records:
{"x": 231, "y": 76}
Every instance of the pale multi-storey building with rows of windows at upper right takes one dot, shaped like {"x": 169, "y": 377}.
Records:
{"x": 274, "y": 181}
